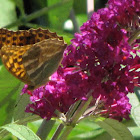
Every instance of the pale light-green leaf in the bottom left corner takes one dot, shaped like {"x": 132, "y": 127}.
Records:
{"x": 21, "y": 131}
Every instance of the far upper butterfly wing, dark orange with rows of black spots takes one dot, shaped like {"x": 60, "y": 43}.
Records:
{"x": 24, "y": 37}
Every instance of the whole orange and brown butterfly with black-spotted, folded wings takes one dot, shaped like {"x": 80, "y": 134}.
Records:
{"x": 32, "y": 55}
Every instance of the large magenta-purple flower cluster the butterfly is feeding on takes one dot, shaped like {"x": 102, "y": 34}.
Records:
{"x": 101, "y": 59}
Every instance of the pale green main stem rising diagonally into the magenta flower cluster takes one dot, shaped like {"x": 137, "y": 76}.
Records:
{"x": 81, "y": 109}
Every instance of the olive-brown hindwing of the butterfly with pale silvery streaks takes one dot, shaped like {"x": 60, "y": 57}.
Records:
{"x": 42, "y": 60}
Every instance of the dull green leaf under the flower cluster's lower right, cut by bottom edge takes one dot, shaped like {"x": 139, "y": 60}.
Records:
{"x": 116, "y": 129}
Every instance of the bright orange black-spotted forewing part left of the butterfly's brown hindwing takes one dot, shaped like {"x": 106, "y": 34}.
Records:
{"x": 12, "y": 59}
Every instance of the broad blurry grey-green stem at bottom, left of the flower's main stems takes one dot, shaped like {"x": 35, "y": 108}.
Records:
{"x": 45, "y": 128}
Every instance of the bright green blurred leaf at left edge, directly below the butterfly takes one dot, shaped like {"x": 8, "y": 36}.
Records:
{"x": 9, "y": 88}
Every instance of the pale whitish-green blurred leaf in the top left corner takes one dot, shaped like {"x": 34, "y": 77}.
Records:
{"x": 7, "y": 12}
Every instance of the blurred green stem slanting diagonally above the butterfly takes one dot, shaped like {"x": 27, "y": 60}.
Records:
{"x": 26, "y": 18}
